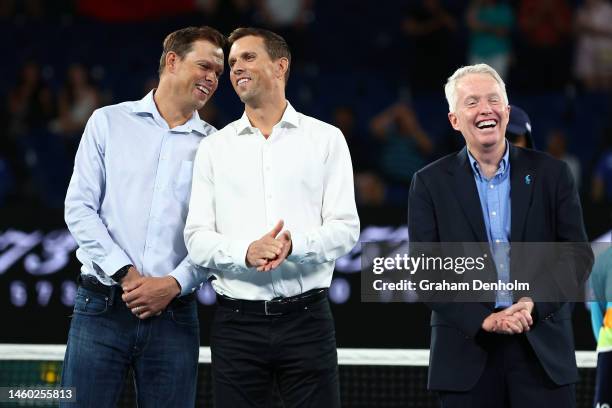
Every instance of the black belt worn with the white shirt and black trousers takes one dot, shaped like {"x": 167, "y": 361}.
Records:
{"x": 274, "y": 307}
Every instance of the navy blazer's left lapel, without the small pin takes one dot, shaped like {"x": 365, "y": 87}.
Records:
{"x": 467, "y": 195}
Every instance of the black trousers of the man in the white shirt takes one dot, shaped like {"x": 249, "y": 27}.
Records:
{"x": 296, "y": 351}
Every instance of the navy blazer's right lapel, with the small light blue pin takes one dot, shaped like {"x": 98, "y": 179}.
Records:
{"x": 522, "y": 180}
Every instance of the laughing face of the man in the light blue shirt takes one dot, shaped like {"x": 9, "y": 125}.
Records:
{"x": 196, "y": 76}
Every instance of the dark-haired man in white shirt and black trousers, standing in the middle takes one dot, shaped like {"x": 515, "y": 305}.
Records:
{"x": 272, "y": 208}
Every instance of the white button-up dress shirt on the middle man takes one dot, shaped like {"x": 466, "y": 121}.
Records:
{"x": 243, "y": 184}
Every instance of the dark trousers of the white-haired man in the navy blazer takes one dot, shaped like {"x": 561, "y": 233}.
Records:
{"x": 513, "y": 378}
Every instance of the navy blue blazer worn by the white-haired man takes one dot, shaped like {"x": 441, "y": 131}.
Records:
{"x": 444, "y": 207}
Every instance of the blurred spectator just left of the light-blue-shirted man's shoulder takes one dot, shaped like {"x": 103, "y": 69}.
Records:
{"x": 77, "y": 101}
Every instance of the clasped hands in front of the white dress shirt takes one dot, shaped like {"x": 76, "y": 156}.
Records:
{"x": 271, "y": 250}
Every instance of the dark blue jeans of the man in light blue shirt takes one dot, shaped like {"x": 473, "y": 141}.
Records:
{"x": 106, "y": 339}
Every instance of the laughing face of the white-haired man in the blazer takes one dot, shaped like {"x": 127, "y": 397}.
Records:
{"x": 480, "y": 113}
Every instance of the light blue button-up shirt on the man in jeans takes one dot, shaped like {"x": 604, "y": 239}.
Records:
{"x": 128, "y": 197}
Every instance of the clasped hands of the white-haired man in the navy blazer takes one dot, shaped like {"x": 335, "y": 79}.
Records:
{"x": 515, "y": 319}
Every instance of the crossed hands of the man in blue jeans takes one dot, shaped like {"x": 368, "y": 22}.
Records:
{"x": 149, "y": 296}
